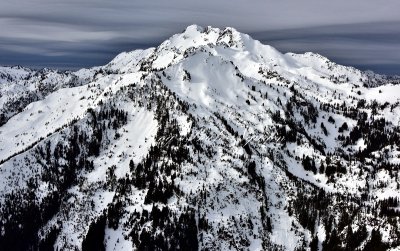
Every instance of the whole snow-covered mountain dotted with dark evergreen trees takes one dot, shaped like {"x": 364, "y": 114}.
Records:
{"x": 211, "y": 141}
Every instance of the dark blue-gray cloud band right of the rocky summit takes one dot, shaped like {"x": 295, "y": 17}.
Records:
{"x": 352, "y": 44}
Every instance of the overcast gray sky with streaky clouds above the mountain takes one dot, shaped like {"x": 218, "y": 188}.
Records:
{"x": 69, "y": 34}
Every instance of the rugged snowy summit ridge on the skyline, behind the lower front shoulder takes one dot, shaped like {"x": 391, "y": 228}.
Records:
{"x": 246, "y": 53}
